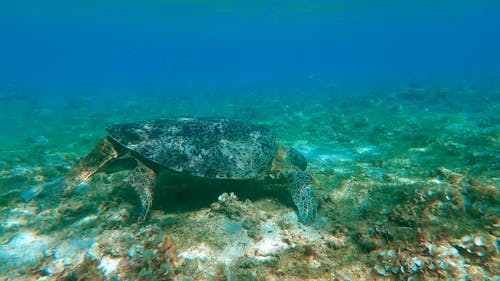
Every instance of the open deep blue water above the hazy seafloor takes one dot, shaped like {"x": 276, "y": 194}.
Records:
{"x": 55, "y": 48}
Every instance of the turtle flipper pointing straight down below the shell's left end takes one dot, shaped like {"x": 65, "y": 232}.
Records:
{"x": 143, "y": 179}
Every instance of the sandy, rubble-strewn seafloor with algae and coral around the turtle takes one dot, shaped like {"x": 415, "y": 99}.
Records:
{"x": 407, "y": 177}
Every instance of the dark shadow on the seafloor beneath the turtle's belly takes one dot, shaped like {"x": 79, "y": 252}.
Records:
{"x": 178, "y": 193}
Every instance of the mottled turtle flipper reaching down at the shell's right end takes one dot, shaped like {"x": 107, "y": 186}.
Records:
{"x": 302, "y": 190}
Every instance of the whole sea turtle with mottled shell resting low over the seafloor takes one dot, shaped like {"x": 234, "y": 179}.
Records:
{"x": 201, "y": 147}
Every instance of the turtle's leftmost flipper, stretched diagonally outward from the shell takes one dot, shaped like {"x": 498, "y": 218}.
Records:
{"x": 101, "y": 155}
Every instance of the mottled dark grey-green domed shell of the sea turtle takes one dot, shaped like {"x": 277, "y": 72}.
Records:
{"x": 205, "y": 147}
